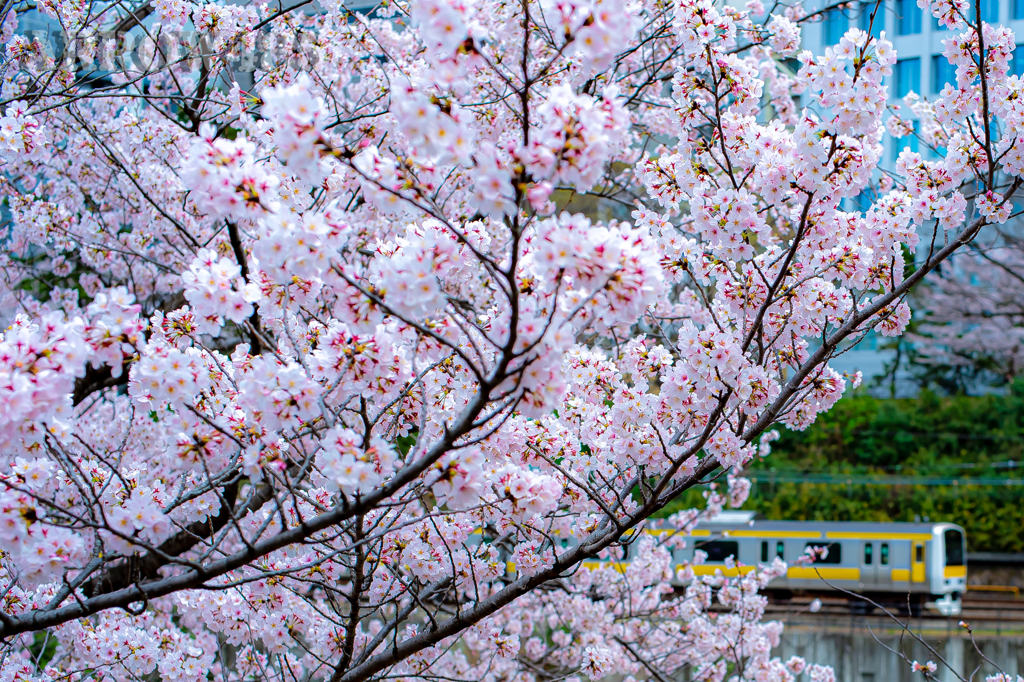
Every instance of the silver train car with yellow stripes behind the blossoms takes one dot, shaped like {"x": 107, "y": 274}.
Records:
{"x": 900, "y": 565}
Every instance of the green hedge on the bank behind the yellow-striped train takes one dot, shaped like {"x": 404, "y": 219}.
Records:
{"x": 962, "y": 438}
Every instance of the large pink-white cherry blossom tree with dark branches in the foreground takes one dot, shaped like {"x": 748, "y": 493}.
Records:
{"x": 316, "y": 378}
